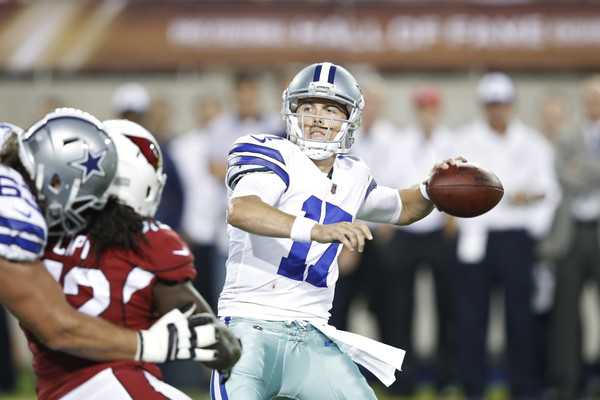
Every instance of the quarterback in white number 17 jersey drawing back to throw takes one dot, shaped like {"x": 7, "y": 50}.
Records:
{"x": 292, "y": 204}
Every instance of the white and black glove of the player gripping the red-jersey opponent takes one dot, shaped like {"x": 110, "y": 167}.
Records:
{"x": 176, "y": 337}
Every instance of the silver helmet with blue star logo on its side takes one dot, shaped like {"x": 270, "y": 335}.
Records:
{"x": 72, "y": 161}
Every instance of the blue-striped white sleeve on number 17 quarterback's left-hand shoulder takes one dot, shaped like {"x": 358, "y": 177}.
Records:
{"x": 256, "y": 153}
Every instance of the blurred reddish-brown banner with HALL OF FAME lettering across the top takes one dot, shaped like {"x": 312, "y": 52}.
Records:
{"x": 116, "y": 36}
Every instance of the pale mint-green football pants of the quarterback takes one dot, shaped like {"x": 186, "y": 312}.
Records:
{"x": 285, "y": 360}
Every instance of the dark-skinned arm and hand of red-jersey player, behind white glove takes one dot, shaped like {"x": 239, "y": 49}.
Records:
{"x": 169, "y": 295}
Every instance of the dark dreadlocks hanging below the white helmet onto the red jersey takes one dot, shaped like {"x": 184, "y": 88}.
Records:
{"x": 115, "y": 226}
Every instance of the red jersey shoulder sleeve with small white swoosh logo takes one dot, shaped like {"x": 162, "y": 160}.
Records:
{"x": 166, "y": 255}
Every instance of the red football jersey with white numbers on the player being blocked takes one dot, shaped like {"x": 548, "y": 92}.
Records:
{"x": 117, "y": 287}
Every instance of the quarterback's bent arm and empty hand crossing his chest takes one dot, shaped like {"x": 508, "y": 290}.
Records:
{"x": 251, "y": 213}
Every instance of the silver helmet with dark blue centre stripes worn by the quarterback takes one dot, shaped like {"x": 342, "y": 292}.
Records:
{"x": 328, "y": 81}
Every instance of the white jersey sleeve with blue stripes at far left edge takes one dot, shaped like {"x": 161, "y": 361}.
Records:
{"x": 23, "y": 231}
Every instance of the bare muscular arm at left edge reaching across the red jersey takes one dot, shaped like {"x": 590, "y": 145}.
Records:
{"x": 31, "y": 294}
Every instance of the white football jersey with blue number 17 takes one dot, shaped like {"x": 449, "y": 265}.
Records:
{"x": 278, "y": 279}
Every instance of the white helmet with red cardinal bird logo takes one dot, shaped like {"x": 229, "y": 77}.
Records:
{"x": 140, "y": 179}
